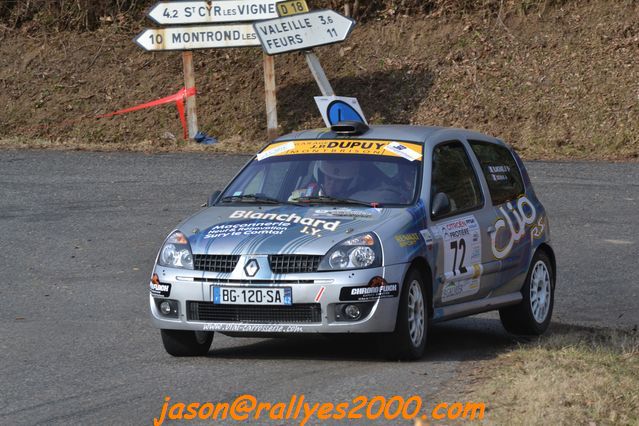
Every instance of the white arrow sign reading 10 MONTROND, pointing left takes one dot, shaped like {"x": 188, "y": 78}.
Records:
{"x": 197, "y": 37}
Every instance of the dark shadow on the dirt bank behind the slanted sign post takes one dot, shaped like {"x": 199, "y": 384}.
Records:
{"x": 390, "y": 96}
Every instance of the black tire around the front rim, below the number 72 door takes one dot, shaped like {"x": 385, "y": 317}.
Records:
{"x": 399, "y": 345}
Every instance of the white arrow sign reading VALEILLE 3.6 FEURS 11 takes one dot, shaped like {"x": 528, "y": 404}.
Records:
{"x": 303, "y": 31}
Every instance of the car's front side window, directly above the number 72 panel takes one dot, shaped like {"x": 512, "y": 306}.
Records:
{"x": 453, "y": 174}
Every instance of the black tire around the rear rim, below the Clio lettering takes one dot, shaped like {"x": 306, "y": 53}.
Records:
{"x": 521, "y": 319}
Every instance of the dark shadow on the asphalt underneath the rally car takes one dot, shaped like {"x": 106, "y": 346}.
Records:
{"x": 464, "y": 339}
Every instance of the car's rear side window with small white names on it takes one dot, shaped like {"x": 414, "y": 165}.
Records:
{"x": 501, "y": 171}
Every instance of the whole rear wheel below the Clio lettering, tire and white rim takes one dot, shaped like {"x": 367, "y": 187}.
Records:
{"x": 532, "y": 315}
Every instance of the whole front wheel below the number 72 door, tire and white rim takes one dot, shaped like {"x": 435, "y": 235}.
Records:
{"x": 408, "y": 341}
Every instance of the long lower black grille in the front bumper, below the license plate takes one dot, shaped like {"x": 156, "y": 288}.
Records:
{"x": 294, "y": 314}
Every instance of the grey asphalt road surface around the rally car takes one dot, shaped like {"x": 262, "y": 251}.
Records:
{"x": 80, "y": 232}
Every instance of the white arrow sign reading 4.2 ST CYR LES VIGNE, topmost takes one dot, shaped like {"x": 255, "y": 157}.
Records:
{"x": 203, "y": 12}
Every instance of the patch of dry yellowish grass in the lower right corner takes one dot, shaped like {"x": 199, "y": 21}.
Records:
{"x": 570, "y": 377}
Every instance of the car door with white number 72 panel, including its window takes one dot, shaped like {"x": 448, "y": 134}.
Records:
{"x": 464, "y": 267}
